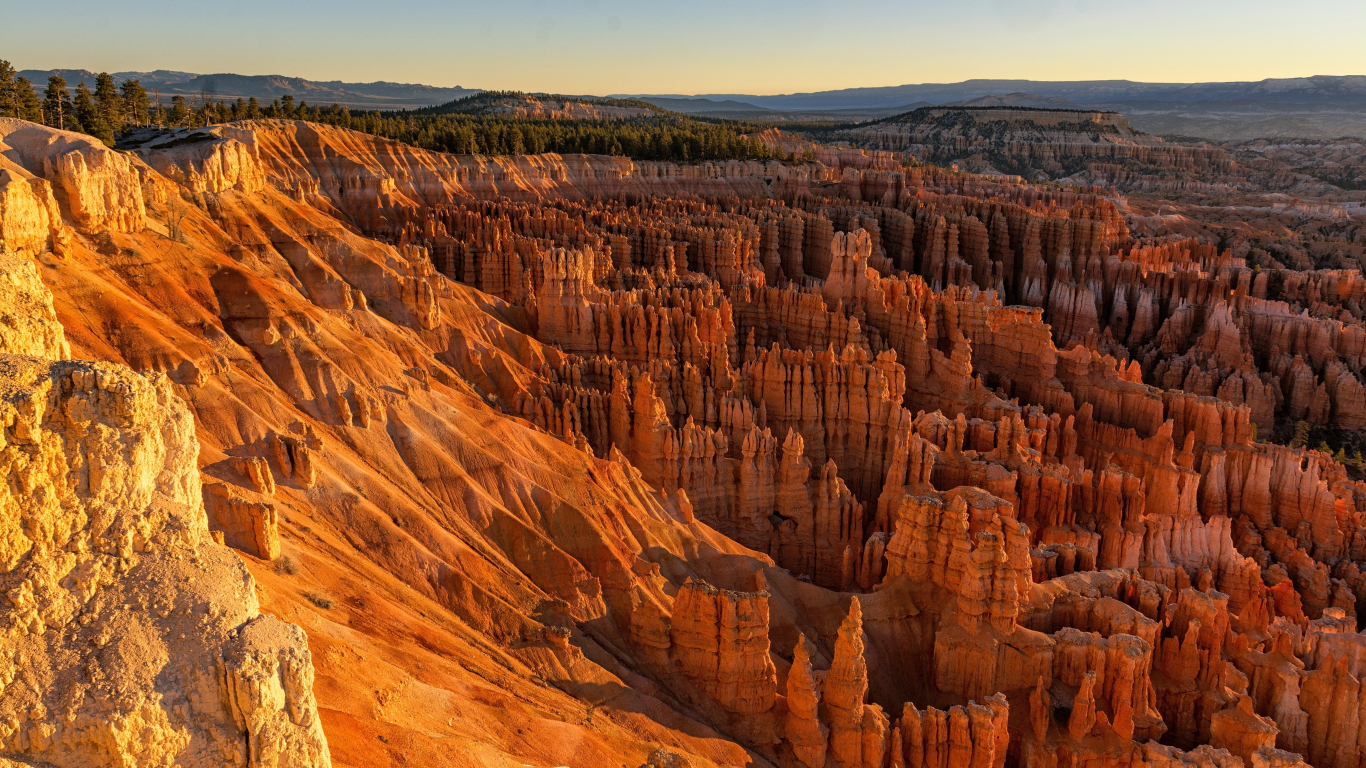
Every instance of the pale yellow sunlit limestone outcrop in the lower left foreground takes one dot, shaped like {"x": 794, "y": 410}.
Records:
{"x": 128, "y": 637}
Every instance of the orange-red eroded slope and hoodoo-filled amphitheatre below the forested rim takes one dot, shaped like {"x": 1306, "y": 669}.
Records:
{"x": 579, "y": 461}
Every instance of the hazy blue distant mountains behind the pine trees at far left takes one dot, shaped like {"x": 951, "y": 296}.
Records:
{"x": 267, "y": 88}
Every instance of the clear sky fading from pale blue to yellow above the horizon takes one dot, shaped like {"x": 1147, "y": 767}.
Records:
{"x": 695, "y": 47}
